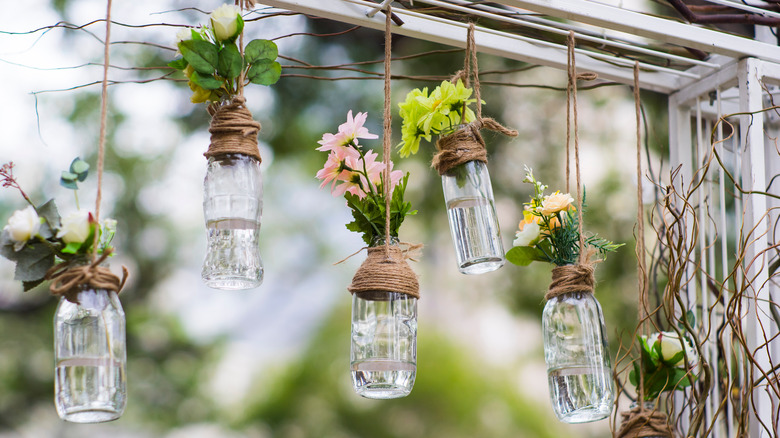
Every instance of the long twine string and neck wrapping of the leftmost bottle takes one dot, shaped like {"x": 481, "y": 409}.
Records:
{"x": 66, "y": 279}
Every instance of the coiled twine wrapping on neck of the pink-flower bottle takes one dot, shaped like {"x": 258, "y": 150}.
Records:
{"x": 384, "y": 270}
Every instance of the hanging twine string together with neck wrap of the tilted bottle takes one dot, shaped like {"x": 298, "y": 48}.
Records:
{"x": 467, "y": 144}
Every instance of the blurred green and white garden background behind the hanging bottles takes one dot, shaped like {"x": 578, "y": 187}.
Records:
{"x": 273, "y": 362}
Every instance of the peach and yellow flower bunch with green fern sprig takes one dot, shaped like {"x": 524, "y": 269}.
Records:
{"x": 549, "y": 230}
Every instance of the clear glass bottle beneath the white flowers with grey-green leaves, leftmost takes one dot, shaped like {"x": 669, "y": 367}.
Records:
{"x": 90, "y": 357}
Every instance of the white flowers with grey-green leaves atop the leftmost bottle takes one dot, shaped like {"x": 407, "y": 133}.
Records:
{"x": 36, "y": 238}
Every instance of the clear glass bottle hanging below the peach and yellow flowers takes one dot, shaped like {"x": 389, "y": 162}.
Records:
{"x": 578, "y": 365}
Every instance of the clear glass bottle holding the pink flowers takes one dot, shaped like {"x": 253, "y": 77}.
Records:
{"x": 384, "y": 342}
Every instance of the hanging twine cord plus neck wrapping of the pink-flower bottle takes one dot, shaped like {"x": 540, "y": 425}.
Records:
{"x": 385, "y": 268}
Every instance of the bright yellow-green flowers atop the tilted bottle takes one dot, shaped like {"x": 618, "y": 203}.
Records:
{"x": 427, "y": 114}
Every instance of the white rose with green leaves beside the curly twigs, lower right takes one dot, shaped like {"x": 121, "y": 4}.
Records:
{"x": 667, "y": 363}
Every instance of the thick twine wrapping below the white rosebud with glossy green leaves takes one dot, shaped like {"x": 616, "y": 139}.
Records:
{"x": 233, "y": 130}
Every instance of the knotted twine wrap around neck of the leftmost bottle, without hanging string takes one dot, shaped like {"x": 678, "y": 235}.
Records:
{"x": 68, "y": 280}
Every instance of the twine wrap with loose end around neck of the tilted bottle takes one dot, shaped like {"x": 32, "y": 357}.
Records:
{"x": 465, "y": 144}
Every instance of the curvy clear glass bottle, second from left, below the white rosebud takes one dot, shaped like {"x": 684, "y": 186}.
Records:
{"x": 232, "y": 207}
